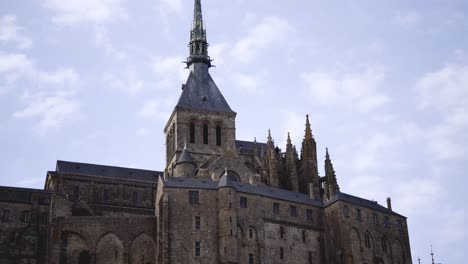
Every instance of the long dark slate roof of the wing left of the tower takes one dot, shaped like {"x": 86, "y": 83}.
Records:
{"x": 85, "y": 169}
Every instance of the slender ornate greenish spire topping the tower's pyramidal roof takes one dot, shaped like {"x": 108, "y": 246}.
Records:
{"x": 198, "y": 43}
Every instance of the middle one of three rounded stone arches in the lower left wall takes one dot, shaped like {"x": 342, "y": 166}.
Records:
{"x": 109, "y": 250}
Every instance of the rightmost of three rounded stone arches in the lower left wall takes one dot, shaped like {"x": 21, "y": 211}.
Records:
{"x": 142, "y": 250}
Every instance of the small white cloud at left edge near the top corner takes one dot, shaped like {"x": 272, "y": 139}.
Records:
{"x": 10, "y": 32}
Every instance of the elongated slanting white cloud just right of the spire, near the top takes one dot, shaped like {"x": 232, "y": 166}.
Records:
{"x": 269, "y": 31}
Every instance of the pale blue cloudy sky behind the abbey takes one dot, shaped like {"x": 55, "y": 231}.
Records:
{"x": 385, "y": 84}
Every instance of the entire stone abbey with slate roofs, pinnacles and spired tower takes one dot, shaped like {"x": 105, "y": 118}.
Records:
{"x": 218, "y": 200}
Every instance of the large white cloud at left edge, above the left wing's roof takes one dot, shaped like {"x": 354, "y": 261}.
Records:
{"x": 49, "y": 96}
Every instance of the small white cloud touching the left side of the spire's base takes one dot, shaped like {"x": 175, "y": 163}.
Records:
{"x": 170, "y": 71}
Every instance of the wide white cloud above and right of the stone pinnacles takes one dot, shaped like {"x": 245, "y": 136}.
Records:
{"x": 359, "y": 89}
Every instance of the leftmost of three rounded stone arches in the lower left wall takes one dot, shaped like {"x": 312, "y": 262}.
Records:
{"x": 75, "y": 248}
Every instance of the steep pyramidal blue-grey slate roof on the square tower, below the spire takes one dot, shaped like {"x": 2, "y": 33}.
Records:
{"x": 201, "y": 92}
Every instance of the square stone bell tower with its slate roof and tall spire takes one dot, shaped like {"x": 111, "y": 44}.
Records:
{"x": 202, "y": 119}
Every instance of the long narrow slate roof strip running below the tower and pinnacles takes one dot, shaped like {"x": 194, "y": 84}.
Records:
{"x": 285, "y": 195}
